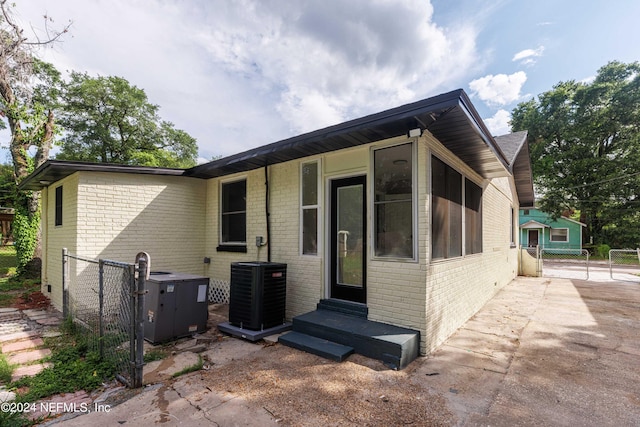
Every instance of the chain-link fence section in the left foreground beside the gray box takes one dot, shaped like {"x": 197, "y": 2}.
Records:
{"x": 104, "y": 299}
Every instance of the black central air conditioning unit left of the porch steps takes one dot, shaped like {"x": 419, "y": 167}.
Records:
{"x": 258, "y": 295}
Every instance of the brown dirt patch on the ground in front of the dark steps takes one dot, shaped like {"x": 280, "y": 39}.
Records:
{"x": 300, "y": 389}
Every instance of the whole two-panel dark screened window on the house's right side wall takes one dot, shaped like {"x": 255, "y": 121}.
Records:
{"x": 454, "y": 200}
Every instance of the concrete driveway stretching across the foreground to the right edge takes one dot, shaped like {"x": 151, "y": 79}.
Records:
{"x": 542, "y": 352}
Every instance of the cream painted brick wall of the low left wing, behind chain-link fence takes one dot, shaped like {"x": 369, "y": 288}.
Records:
{"x": 115, "y": 216}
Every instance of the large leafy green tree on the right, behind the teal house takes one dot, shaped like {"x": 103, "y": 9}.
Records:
{"x": 585, "y": 151}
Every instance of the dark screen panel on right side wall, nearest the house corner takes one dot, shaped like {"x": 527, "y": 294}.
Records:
{"x": 446, "y": 207}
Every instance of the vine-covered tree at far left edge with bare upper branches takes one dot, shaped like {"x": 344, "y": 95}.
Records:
{"x": 28, "y": 93}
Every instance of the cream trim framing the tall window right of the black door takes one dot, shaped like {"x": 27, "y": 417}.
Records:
{"x": 414, "y": 202}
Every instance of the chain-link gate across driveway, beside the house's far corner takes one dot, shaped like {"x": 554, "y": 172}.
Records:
{"x": 565, "y": 263}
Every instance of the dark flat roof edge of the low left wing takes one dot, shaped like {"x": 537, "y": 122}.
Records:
{"x": 55, "y": 170}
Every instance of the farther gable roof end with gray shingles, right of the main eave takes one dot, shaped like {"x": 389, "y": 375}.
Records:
{"x": 516, "y": 148}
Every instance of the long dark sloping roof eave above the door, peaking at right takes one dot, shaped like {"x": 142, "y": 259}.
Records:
{"x": 450, "y": 117}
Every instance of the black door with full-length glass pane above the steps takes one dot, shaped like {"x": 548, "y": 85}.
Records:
{"x": 348, "y": 239}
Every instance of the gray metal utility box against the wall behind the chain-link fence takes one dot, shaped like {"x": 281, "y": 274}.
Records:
{"x": 175, "y": 306}
